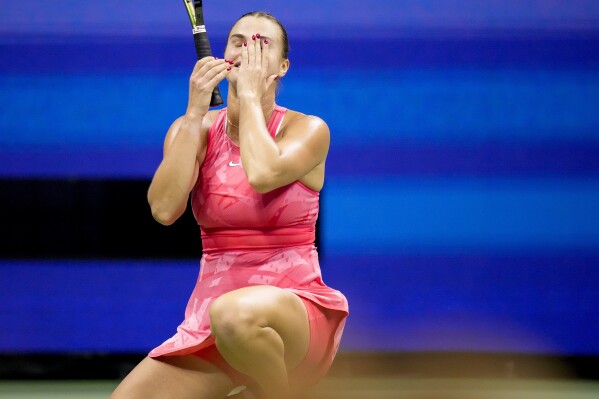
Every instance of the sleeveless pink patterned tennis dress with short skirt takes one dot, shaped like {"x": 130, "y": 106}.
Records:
{"x": 252, "y": 239}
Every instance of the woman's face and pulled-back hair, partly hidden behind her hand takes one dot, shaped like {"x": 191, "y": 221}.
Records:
{"x": 242, "y": 32}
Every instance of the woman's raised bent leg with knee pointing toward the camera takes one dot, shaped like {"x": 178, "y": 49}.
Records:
{"x": 262, "y": 331}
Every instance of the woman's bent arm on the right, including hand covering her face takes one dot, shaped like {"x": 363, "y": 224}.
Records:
{"x": 299, "y": 148}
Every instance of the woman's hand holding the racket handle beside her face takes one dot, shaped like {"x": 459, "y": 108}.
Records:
{"x": 206, "y": 74}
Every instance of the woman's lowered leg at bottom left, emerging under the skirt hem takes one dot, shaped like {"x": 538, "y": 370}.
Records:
{"x": 177, "y": 377}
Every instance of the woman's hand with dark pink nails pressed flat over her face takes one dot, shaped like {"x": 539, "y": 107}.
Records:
{"x": 253, "y": 78}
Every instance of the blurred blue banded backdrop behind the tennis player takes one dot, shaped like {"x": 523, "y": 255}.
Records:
{"x": 461, "y": 208}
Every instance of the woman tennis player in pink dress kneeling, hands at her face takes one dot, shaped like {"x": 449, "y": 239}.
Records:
{"x": 260, "y": 315}
